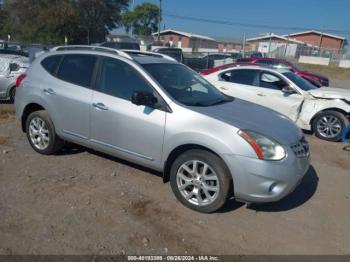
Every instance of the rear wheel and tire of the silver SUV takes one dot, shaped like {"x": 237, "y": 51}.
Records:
{"x": 41, "y": 133}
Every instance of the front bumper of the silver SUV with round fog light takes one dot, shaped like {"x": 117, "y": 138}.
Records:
{"x": 259, "y": 181}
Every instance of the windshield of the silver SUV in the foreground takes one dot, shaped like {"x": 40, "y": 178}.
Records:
{"x": 186, "y": 86}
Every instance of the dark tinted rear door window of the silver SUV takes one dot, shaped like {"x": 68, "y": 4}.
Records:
{"x": 77, "y": 69}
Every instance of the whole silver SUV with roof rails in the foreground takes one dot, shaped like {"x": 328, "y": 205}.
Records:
{"x": 153, "y": 111}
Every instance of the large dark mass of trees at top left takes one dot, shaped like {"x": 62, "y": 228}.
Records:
{"x": 49, "y": 21}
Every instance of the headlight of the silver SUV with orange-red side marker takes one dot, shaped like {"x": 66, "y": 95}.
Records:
{"x": 265, "y": 148}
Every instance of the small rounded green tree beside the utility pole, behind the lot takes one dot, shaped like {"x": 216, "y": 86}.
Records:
{"x": 143, "y": 20}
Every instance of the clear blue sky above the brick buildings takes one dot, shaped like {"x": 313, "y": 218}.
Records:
{"x": 256, "y": 16}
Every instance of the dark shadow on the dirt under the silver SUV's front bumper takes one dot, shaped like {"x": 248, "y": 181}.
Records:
{"x": 301, "y": 195}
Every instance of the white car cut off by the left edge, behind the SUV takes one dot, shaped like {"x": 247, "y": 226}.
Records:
{"x": 11, "y": 66}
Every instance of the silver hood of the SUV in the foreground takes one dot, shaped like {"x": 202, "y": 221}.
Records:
{"x": 248, "y": 116}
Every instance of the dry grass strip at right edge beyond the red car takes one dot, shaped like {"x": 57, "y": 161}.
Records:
{"x": 331, "y": 71}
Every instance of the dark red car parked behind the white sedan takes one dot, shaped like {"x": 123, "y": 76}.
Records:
{"x": 313, "y": 78}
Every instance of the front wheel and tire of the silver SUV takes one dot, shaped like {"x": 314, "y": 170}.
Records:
{"x": 194, "y": 184}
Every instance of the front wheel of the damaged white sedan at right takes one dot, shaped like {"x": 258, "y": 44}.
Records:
{"x": 330, "y": 125}
